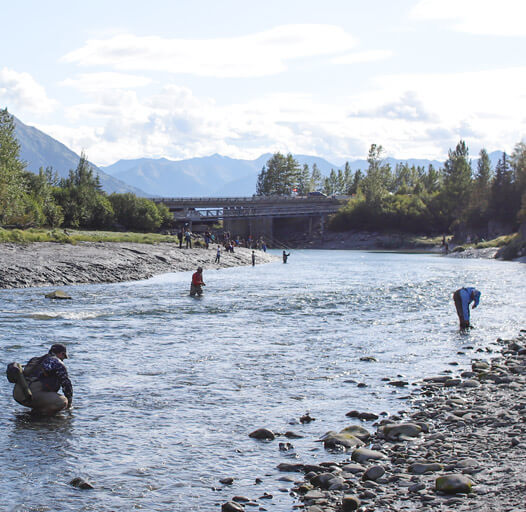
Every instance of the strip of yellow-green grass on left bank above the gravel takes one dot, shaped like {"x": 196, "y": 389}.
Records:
{"x": 71, "y": 236}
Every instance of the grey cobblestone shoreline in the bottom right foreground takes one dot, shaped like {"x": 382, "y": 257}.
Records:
{"x": 460, "y": 446}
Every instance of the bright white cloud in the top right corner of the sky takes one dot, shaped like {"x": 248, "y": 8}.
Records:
{"x": 490, "y": 17}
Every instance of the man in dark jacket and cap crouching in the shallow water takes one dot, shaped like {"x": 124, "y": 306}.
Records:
{"x": 38, "y": 385}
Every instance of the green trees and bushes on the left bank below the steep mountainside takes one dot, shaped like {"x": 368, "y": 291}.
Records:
{"x": 77, "y": 201}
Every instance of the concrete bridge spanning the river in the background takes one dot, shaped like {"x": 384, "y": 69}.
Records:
{"x": 255, "y": 216}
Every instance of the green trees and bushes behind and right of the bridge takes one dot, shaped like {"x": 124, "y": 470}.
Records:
{"x": 452, "y": 199}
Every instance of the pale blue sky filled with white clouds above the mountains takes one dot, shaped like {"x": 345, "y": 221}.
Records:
{"x": 182, "y": 79}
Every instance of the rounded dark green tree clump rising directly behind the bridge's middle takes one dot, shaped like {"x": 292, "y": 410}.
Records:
{"x": 279, "y": 176}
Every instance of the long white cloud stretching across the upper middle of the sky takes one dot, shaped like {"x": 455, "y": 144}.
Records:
{"x": 260, "y": 54}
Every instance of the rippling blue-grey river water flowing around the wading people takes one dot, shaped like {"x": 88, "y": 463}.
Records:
{"x": 167, "y": 387}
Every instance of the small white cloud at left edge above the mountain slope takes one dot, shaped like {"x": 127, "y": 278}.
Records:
{"x": 23, "y": 92}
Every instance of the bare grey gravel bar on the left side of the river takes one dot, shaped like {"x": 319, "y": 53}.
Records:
{"x": 52, "y": 264}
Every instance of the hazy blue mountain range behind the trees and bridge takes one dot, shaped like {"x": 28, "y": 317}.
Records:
{"x": 210, "y": 176}
